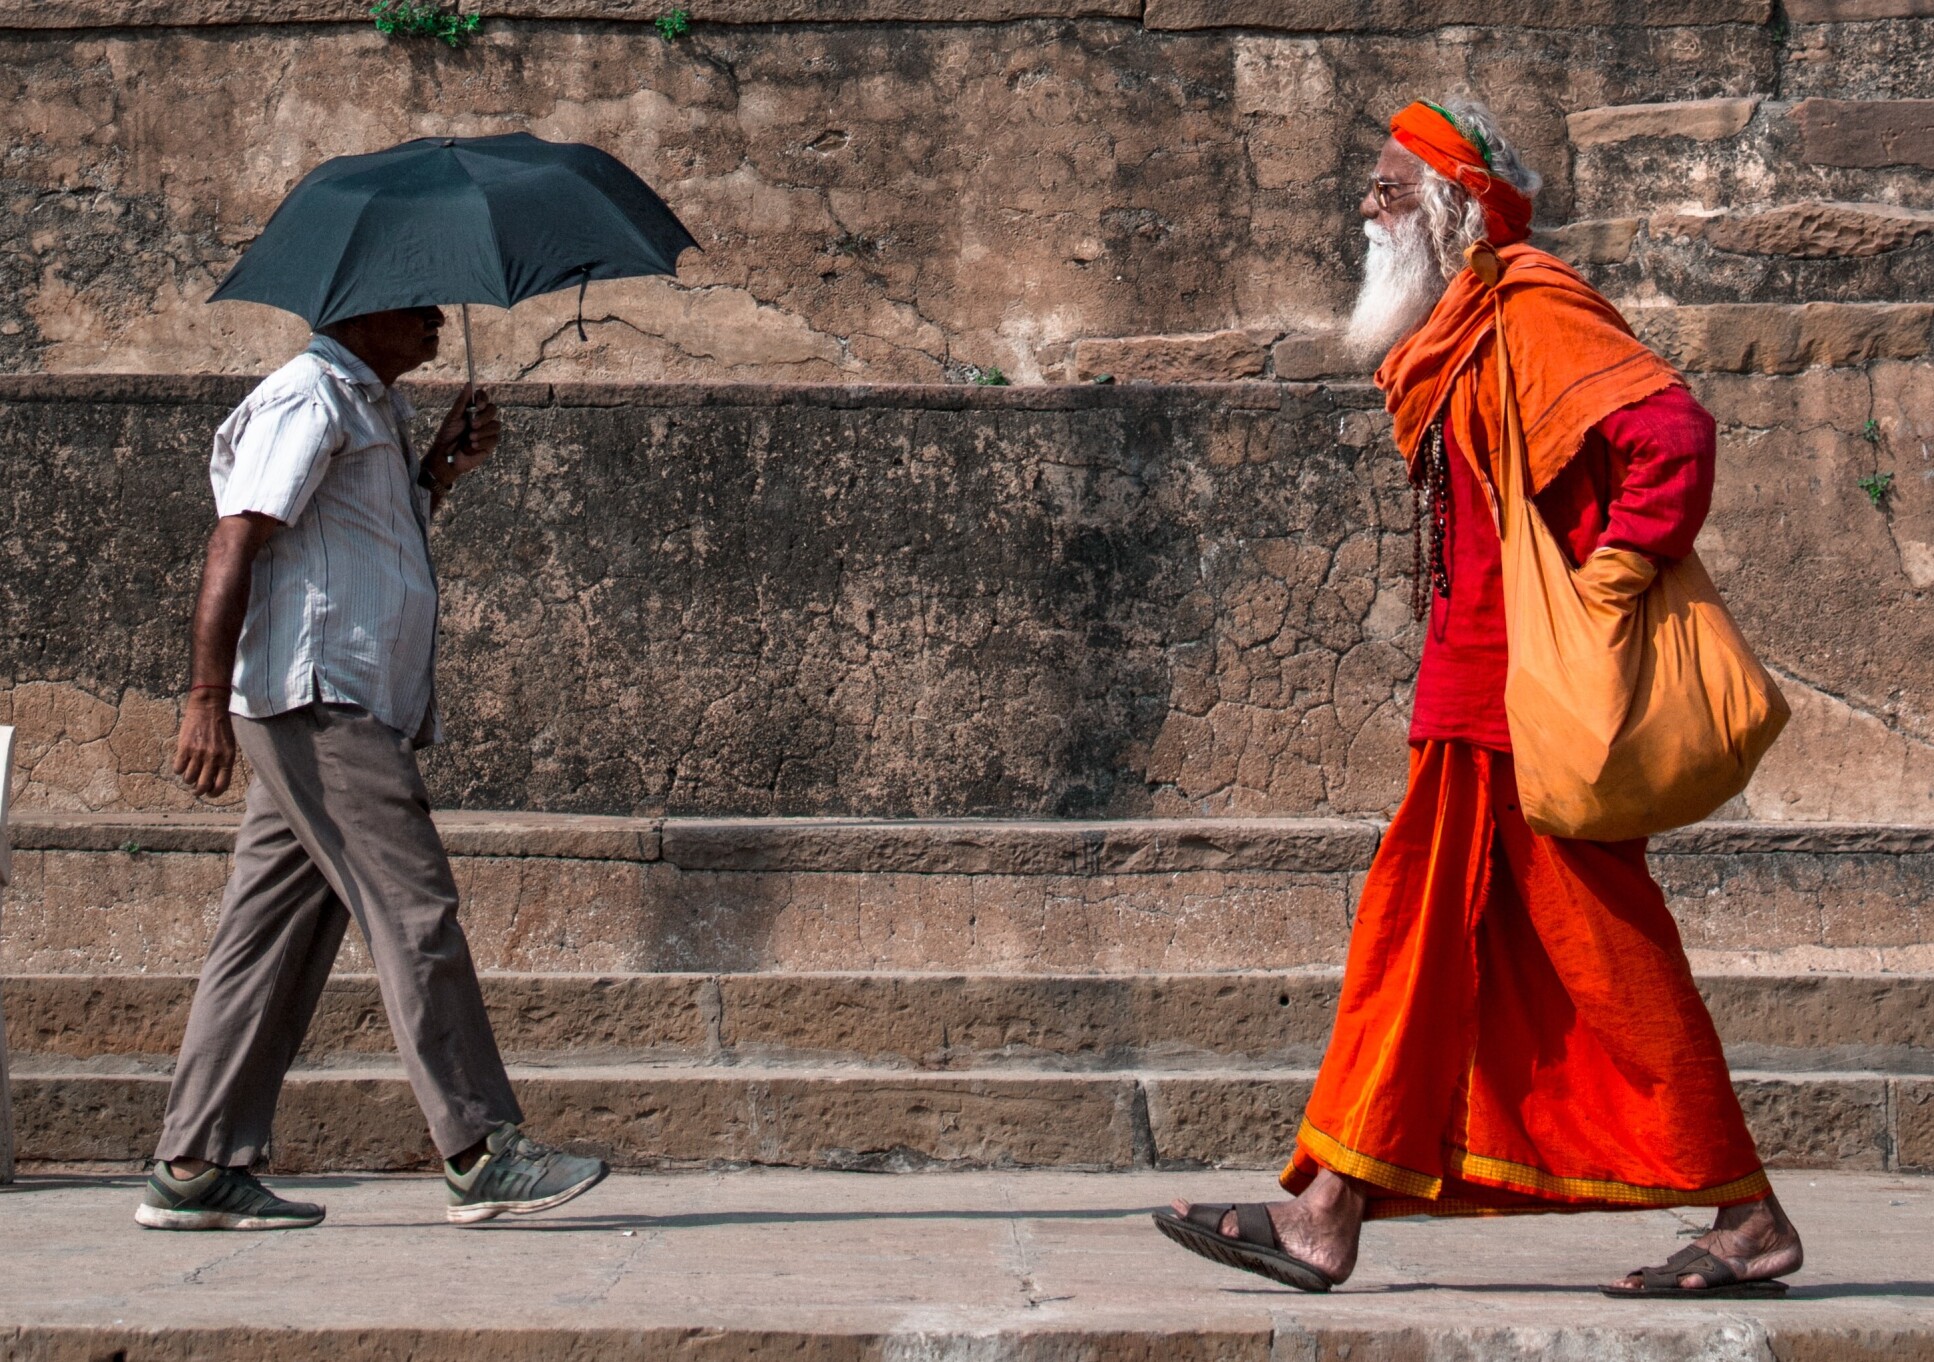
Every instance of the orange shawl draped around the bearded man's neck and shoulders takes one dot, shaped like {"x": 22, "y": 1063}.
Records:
{"x": 1571, "y": 355}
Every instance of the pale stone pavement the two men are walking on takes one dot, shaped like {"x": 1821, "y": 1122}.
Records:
{"x": 982, "y": 1266}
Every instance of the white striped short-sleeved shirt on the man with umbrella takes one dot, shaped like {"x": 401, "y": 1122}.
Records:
{"x": 343, "y": 605}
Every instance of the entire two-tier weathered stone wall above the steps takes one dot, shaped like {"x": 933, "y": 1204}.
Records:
{"x": 949, "y": 601}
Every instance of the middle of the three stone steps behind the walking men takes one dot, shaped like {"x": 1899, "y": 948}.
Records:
{"x": 941, "y": 1022}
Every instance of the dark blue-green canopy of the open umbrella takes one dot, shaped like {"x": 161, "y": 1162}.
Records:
{"x": 455, "y": 222}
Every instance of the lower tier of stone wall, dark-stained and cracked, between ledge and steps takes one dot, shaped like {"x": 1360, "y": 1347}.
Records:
{"x": 935, "y": 601}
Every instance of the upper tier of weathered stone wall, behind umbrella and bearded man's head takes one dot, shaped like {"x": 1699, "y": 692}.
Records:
{"x": 1053, "y": 191}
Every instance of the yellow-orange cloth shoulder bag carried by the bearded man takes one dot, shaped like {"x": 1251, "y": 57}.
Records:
{"x": 1633, "y": 701}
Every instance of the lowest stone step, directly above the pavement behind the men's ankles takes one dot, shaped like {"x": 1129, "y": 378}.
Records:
{"x": 867, "y": 1119}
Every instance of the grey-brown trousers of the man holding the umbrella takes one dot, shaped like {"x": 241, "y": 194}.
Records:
{"x": 337, "y": 825}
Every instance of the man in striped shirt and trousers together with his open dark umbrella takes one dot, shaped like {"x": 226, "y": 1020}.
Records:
{"x": 314, "y": 649}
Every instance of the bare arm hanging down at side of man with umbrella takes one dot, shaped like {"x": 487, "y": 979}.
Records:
{"x": 206, "y": 754}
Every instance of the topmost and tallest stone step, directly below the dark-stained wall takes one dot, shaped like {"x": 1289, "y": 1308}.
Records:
{"x": 585, "y": 895}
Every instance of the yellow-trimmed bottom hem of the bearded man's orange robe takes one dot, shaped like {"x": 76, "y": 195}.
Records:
{"x": 1419, "y": 1193}
